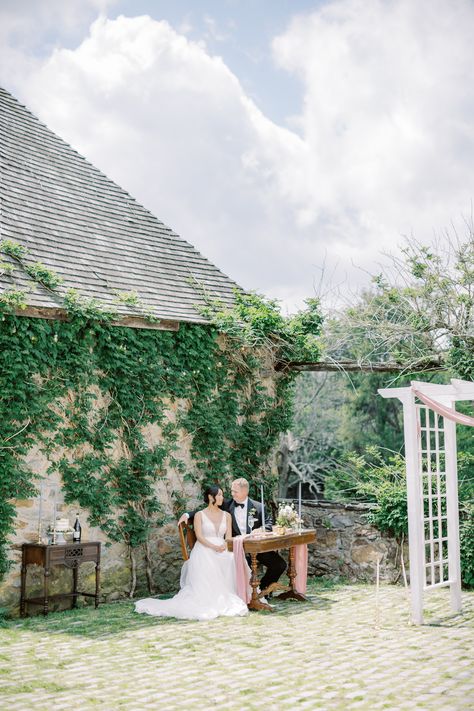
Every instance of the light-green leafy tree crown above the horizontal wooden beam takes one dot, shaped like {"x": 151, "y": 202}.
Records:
{"x": 420, "y": 311}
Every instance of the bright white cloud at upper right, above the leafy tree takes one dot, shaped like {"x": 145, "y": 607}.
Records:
{"x": 387, "y": 119}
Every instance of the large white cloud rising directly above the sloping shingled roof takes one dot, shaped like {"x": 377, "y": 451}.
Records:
{"x": 173, "y": 126}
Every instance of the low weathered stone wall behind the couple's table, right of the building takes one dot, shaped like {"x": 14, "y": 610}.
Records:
{"x": 347, "y": 545}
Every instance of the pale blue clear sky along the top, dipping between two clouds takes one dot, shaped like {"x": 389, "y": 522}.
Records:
{"x": 241, "y": 31}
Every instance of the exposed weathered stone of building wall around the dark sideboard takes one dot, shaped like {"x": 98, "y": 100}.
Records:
{"x": 115, "y": 562}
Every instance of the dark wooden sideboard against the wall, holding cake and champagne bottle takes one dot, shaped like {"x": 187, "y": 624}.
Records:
{"x": 71, "y": 555}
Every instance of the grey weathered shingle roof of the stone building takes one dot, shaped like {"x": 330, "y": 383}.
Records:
{"x": 75, "y": 220}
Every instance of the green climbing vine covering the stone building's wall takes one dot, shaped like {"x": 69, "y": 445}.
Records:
{"x": 89, "y": 394}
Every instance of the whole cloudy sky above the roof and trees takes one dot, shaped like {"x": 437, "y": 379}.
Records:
{"x": 295, "y": 143}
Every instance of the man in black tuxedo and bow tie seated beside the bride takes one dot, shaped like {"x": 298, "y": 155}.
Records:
{"x": 239, "y": 507}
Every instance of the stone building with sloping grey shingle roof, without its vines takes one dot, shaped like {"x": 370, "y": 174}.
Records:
{"x": 76, "y": 221}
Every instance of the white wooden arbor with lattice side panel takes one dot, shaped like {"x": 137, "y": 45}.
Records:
{"x": 432, "y": 485}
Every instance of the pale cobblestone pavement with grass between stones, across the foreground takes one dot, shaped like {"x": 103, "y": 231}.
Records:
{"x": 339, "y": 650}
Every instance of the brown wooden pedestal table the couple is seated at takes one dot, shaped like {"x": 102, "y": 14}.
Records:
{"x": 255, "y": 543}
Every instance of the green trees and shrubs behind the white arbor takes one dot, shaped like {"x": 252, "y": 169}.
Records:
{"x": 350, "y": 439}
